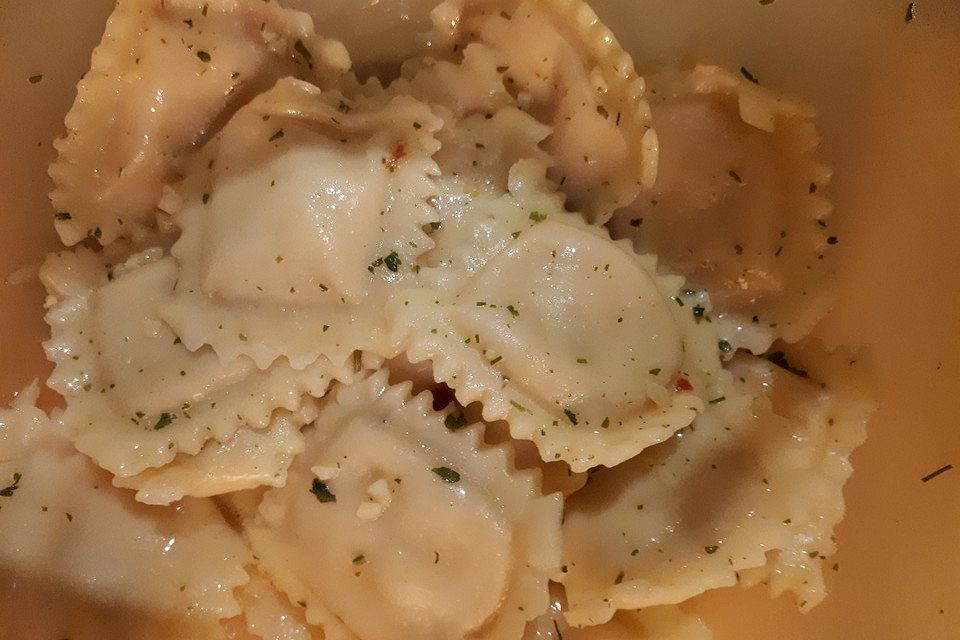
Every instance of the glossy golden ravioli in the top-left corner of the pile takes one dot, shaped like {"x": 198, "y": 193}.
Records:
{"x": 165, "y": 72}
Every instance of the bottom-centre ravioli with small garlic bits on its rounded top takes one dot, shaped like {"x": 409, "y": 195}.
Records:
{"x": 388, "y": 509}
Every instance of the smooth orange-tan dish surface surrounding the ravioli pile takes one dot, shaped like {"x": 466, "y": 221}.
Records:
{"x": 889, "y": 96}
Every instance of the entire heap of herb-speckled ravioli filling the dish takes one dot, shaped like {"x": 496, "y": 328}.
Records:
{"x": 399, "y": 319}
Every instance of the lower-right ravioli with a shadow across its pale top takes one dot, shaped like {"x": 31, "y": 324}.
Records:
{"x": 750, "y": 491}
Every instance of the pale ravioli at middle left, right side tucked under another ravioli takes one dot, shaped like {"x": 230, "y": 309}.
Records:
{"x": 135, "y": 395}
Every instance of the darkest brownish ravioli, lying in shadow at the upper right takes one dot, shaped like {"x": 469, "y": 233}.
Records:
{"x": 739, "y": 182}
